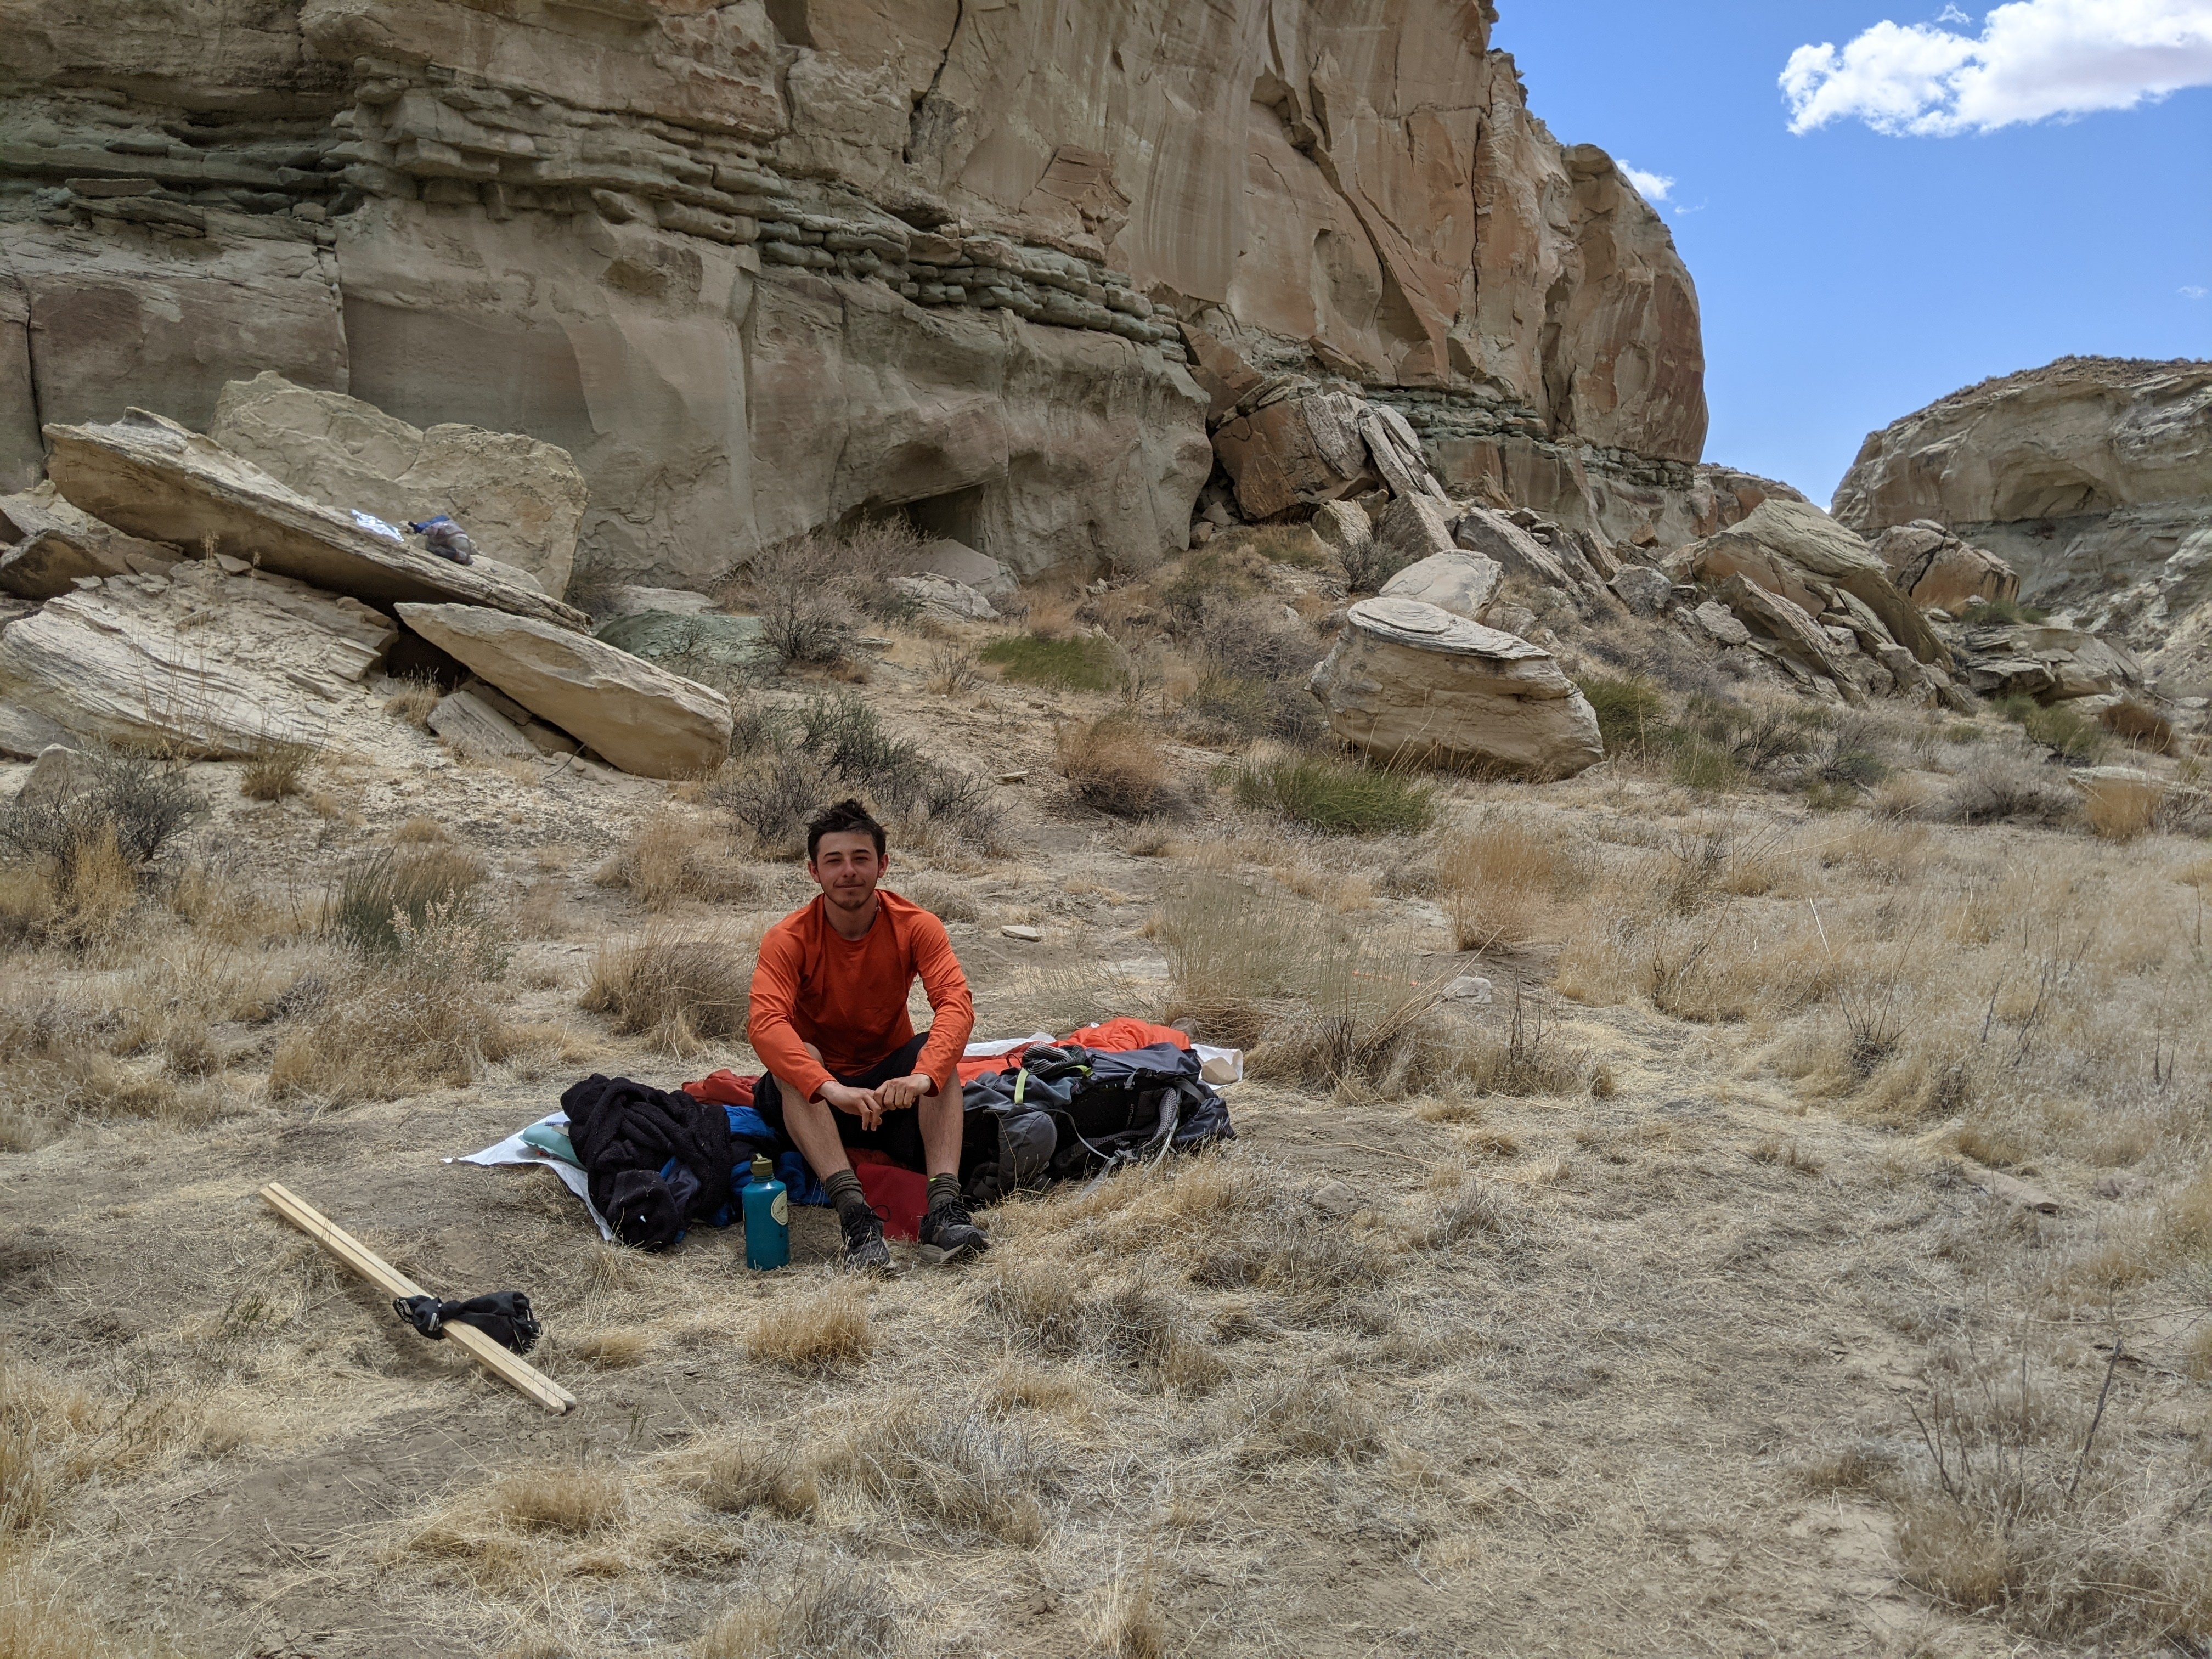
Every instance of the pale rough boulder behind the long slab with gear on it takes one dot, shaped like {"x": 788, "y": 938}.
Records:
{"x": 519, "y": 499}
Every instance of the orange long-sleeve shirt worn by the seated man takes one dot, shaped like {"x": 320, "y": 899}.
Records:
{"x": 851, "y": 997}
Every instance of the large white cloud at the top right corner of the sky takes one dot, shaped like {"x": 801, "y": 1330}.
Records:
{"x": 2034, "y": 61}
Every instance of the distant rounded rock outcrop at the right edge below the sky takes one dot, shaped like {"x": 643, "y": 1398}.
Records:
{"x": 2091, "y": 479}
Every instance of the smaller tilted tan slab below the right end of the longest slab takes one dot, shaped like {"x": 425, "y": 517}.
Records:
{"x": 636, "y": 716}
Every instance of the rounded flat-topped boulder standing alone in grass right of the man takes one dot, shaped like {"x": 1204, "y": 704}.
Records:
{"x": 1410, "y": 682}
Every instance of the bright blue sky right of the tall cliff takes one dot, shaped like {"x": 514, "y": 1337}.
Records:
{"x": 1853, "y": 275}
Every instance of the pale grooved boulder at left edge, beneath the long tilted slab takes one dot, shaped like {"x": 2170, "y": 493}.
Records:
{"x": 211, "y": 662}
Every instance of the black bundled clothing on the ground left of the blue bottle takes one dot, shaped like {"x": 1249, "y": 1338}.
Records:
{"x": 656, "y": 1162}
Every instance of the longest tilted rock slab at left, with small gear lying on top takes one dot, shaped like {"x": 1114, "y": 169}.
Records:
{"x": 163, "y": 481}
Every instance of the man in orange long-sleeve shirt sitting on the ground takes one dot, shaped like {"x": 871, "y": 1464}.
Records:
{"x": 846, "y": 1065}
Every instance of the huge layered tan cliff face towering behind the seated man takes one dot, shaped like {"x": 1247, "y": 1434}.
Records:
{"x": 771, "y": 264}
